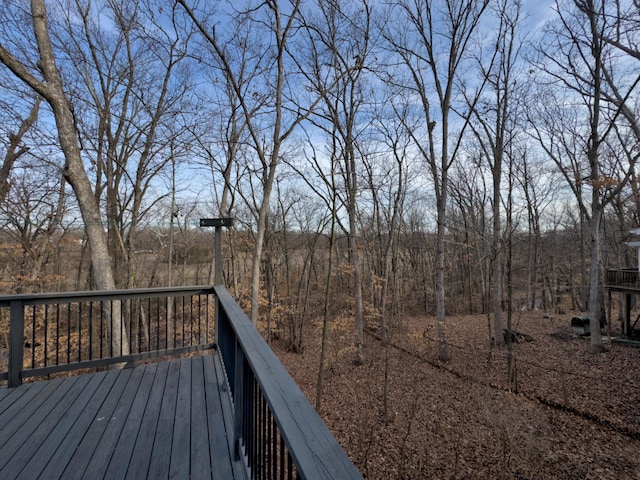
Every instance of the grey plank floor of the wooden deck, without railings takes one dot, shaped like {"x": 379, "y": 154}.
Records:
{"x": 162, "y": 420}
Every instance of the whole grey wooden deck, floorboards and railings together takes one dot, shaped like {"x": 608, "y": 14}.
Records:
{"x": 230, "y": 412}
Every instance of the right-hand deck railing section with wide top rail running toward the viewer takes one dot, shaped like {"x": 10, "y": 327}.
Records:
{"x": 314, "y": 451}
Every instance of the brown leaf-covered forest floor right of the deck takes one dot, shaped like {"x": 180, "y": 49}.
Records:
{"x": 567, "y": 414}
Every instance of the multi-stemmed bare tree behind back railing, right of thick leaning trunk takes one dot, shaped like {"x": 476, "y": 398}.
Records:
{"x": 132, "y": 101}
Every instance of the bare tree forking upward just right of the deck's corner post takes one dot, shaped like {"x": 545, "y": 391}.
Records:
{"x": 267, "y": 98}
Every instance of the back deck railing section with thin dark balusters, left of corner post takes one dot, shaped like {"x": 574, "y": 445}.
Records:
{"x": 58, "y": 332}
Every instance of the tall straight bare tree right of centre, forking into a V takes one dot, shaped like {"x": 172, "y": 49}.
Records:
{"x": 435, "y": 38}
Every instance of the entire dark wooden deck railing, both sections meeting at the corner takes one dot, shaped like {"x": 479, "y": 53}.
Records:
{"x": 277, "y": 433}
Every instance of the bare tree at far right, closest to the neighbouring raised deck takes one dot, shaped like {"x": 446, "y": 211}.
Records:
{"x": 576, "y": 57}
